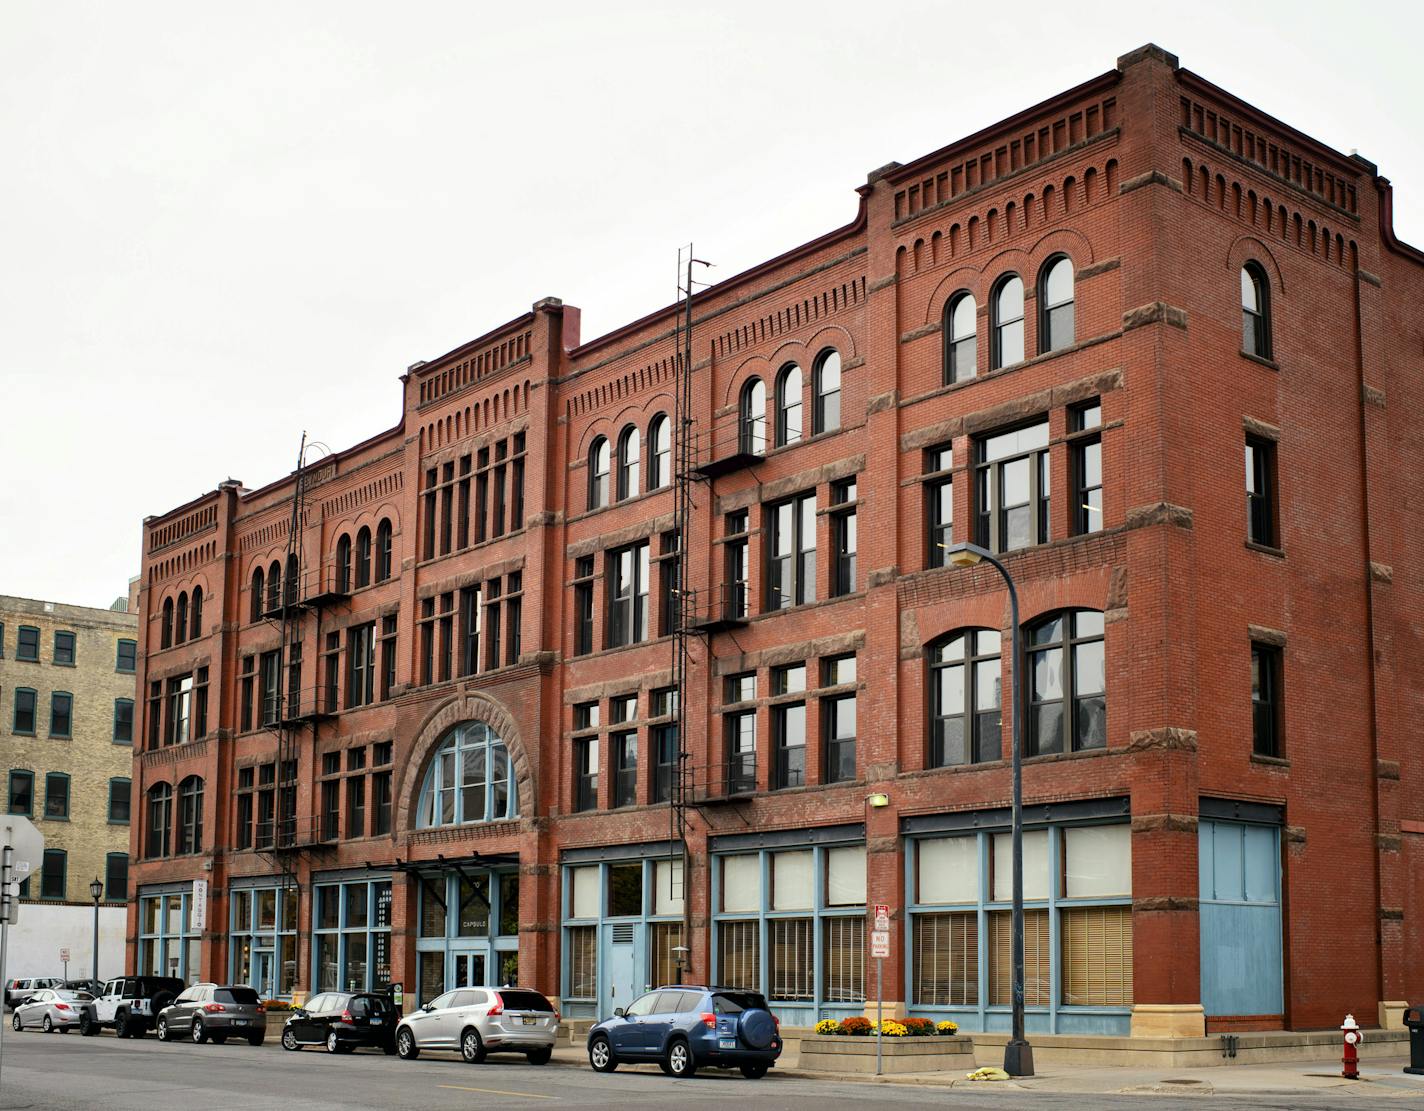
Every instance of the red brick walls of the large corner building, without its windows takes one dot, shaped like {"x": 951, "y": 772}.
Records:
{"x": 1160, "y": 187}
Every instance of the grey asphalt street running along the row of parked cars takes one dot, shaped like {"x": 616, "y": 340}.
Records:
{"x": 106, "y": 1075}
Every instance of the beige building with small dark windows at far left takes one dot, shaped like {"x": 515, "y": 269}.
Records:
{"x": 66, "y": 726}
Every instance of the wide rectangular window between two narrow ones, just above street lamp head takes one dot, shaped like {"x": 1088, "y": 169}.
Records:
{"x": 1012, "y": 489}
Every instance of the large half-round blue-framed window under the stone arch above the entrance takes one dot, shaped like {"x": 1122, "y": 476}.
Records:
{"x": 469, "y": 780}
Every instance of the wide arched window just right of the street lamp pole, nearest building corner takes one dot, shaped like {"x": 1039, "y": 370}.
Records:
{"x": 1067, "y": 689}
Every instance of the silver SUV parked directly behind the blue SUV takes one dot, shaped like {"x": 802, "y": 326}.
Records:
{"x": 481, "y": 1021}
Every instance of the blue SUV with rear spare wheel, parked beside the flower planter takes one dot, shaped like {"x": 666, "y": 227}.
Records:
{"x": 684, "y": 1029}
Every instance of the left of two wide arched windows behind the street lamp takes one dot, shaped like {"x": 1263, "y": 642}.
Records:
{"x": 966, "y": 699}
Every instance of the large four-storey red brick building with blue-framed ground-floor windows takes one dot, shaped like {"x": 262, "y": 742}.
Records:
{"x": 1153, "y": 344}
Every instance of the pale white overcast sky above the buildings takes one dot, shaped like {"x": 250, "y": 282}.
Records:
{"x": 224, "y": 224}
